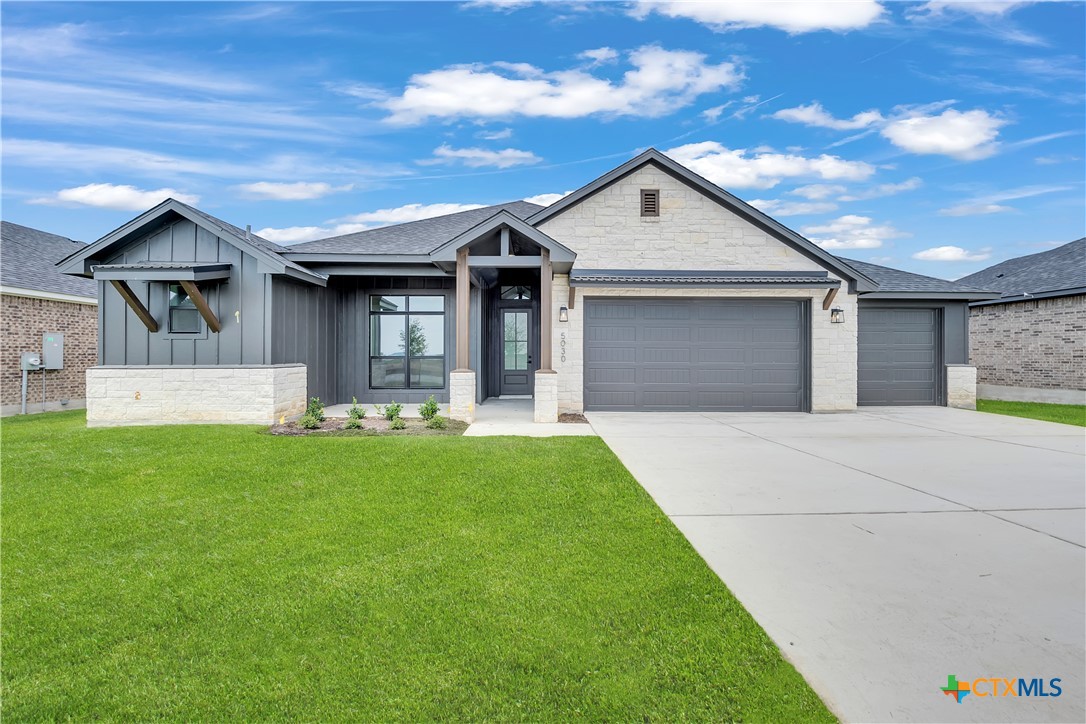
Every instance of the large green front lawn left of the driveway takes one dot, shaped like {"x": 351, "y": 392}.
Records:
{"x": 217, "y": 574}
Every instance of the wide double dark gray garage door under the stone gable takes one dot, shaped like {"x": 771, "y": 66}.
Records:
{"x": 694, "y": 355}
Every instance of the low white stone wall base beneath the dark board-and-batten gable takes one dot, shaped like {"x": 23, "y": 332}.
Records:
{"x": 174, "y": 396}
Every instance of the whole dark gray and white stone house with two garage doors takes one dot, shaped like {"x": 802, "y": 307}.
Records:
{"x": 649, "y": 289}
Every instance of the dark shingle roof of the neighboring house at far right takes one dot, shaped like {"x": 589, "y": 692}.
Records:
{"x": 1064, "y": 268}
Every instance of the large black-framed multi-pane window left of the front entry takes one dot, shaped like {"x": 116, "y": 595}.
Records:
{"x": 407, "y": 342}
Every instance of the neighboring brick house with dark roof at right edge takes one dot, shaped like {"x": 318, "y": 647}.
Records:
{"x": 1030, "y": 345}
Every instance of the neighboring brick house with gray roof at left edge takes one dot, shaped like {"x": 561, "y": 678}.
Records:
{"x": 36, "y": 299}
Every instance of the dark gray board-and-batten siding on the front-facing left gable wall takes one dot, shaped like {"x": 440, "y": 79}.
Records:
{"x": 246, "y": 338}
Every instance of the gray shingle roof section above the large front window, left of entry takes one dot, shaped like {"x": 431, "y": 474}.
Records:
{"x": 420, "y": 237}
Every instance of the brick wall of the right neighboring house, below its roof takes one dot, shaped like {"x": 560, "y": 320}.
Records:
{"x": 1039, "y": 344}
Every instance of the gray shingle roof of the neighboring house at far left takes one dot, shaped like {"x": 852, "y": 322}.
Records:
{"x": 28, "y": 259}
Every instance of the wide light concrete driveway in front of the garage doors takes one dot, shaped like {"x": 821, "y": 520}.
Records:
{"x": 887, "y": 550}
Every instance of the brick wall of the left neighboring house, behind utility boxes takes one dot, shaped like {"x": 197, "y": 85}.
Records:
{"x": 22, "y": 324}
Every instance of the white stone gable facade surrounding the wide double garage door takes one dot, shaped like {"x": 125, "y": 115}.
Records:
{"x": 692, "y": 233}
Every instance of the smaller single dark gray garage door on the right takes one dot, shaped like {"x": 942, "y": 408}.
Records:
{"x": 899, "y": 357}
